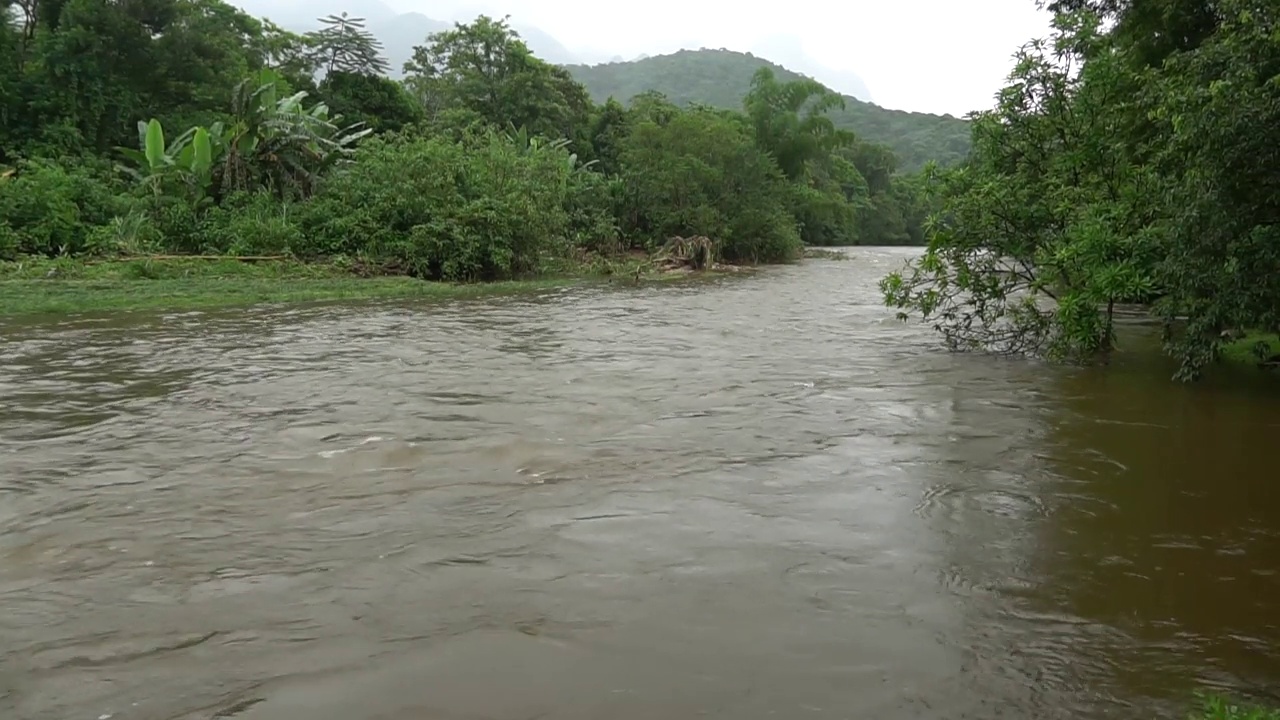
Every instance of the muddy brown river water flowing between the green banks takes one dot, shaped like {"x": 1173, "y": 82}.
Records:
{"x": 756, "y": 498}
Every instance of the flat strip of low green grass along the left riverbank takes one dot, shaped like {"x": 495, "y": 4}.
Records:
{"x": 66, "y": 286}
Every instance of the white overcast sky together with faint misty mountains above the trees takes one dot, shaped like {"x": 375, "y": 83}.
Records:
{"x": 940, "y": 57}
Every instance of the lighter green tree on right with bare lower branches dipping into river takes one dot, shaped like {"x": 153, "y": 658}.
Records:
{"x": 1043, "y": 231}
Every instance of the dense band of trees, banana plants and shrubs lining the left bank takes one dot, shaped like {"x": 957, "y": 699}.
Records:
{"x": 186, "y": 127}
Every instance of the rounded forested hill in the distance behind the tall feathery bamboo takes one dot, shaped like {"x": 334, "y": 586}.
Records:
{"x": 721, "y": 79}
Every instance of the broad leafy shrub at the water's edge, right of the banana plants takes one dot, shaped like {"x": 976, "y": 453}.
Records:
{"x": 479, "y": 209}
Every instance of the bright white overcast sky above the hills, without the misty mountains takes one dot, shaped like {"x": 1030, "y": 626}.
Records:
{"x": 929, "y": 56}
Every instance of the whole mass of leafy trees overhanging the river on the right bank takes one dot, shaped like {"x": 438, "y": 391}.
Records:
{"x": 1132, "y": 160}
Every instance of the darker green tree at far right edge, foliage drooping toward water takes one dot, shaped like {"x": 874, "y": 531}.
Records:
{"x": 1219, "y": 130}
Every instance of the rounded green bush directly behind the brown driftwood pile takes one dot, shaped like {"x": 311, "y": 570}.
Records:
{"x": 701, "y": 174}
